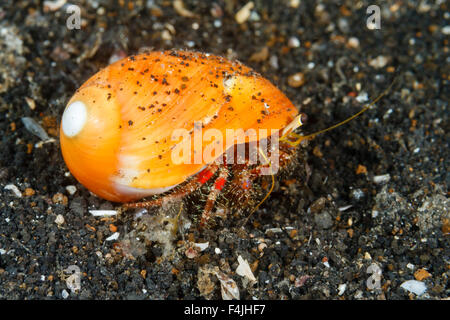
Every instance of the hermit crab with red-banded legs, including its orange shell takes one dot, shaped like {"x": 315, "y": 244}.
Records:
{"x": 159, "y": 124}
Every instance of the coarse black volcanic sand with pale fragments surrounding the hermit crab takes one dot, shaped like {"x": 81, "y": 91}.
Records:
{"x": 329, "y": 217}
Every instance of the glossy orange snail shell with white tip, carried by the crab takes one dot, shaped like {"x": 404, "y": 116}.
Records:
{"x": 116, "y": 131}
